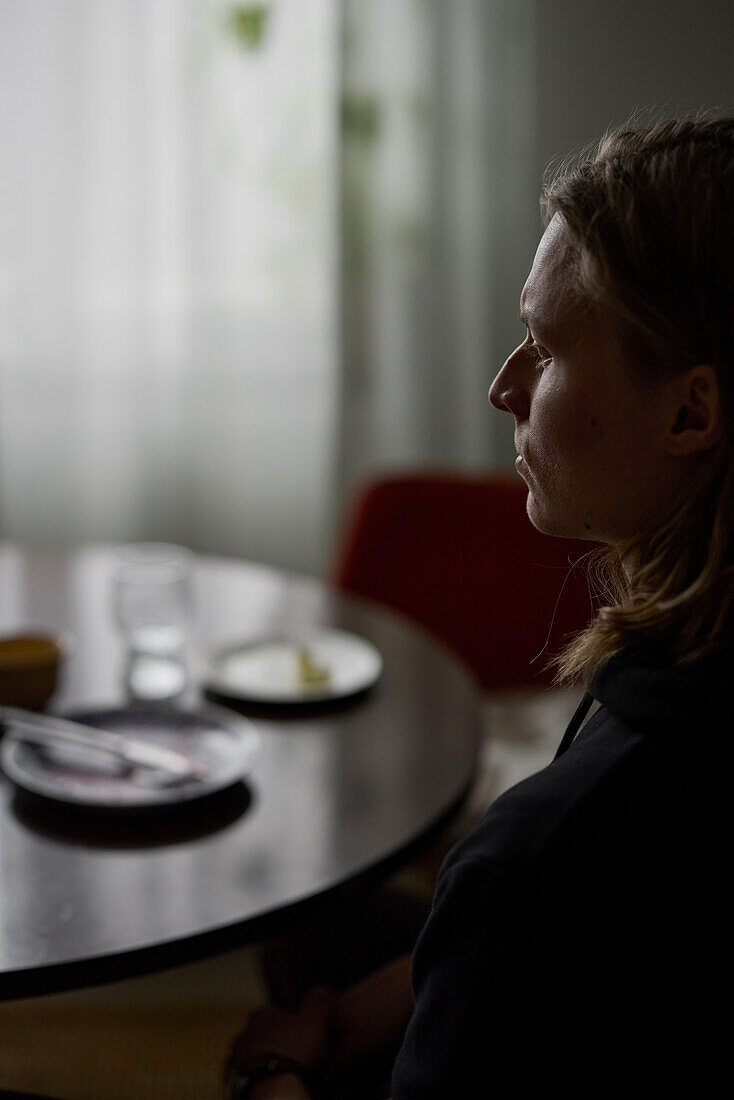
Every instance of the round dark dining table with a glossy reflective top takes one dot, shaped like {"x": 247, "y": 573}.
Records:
{"x": 341, "y": 794}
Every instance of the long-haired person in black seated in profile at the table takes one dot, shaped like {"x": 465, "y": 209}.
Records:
{"x": 579, "y": 934}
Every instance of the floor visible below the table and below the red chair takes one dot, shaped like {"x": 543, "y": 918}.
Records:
{"x": 165, "y": 1037}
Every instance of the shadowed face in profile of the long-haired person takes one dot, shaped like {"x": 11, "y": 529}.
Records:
{"x": 590, "y": 436}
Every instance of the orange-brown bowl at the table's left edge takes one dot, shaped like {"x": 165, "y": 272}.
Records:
{"x": 29, "y": 668}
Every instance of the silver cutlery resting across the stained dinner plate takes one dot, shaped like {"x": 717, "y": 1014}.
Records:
{"x": 56, "y": 733}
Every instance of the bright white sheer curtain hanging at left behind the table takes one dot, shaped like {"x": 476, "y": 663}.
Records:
{"x": 168, "y": 244}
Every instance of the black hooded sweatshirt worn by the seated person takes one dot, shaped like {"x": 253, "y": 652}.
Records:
{"x": 579, "y": 936}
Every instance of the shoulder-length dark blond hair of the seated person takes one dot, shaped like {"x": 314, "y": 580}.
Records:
{"x": 651, "y": 212}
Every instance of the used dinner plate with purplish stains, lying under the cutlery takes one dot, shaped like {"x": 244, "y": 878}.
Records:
{"x": 224, "y": 743}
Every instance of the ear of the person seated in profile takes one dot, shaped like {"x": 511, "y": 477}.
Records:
{"x": 695, "y": 425}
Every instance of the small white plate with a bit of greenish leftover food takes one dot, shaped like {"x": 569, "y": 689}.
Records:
{"x": 271, "y": 670}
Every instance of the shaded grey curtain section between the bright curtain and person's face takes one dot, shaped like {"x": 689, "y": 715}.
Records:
{"x": 440, "y": 224}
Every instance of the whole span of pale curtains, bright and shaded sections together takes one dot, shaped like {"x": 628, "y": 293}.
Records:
{"x": 250, "y": 254}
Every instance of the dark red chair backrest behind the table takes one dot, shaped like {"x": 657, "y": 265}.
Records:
{"x": 458, "y": 555}
